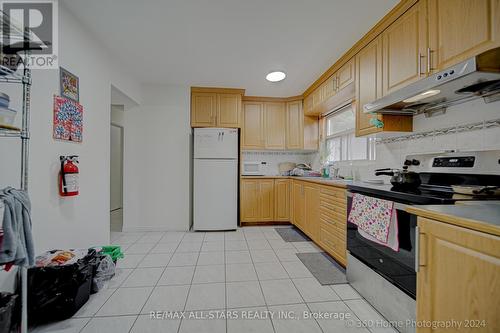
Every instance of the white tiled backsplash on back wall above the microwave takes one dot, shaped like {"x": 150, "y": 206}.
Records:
{"x": 274, "y": 158}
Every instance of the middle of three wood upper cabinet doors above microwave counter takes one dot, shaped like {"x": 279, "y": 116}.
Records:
{"x": 275, "y": 124}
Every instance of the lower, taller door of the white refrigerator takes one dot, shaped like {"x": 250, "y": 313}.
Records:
{"x": 215, "y": 194}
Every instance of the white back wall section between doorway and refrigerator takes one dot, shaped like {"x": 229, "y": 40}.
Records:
{"x": 157, "y": 160}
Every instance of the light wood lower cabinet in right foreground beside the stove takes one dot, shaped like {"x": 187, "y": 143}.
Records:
{"x": 458, "y": 277}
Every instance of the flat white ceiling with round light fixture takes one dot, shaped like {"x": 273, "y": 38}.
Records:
{"x": 229, "y": 43}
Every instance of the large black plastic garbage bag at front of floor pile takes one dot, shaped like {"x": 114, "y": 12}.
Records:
{"x": 58, "y": 292}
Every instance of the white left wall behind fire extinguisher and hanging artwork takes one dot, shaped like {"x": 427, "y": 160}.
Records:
{"x": 82, "y": 221}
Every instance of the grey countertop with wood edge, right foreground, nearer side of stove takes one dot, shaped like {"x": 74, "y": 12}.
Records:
{"x": 477, "y": 215}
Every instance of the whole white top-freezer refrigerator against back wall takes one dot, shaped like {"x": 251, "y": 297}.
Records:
{"x": 215, "y": 179}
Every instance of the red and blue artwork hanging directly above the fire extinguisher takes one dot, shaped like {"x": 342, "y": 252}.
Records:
{"x": 68, "y": 119}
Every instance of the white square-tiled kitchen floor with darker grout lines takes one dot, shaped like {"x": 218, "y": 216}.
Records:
{"x": 251, "y": 271}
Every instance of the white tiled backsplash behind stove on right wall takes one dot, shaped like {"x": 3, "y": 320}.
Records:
{"x": 392, "y": 155}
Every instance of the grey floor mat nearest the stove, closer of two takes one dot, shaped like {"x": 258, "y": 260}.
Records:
{"x": 323, "y": 267}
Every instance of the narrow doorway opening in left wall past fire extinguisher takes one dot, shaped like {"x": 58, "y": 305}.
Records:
{"x": 116, "y": 176}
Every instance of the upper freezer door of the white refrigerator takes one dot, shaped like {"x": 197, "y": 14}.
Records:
{"x": 215, "y": 143}
